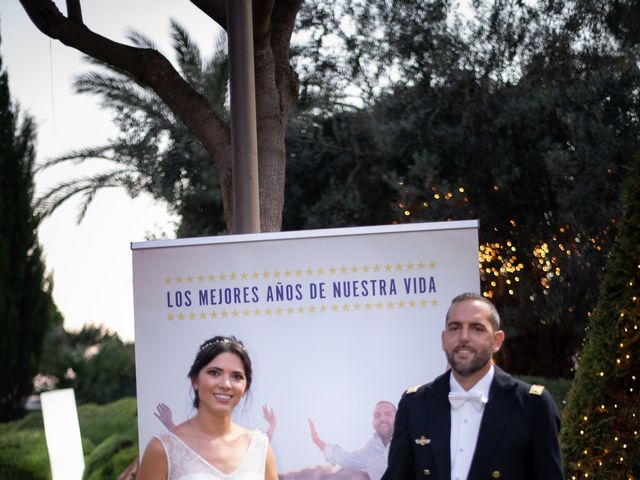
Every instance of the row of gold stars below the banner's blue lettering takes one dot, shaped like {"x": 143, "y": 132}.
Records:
{"x": 301, "y": 310}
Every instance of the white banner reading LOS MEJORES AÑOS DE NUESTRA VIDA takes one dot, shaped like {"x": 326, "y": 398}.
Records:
{"x": 334, "y": 321}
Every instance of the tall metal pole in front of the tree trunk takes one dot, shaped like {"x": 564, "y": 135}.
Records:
{"x": 244, "y": 138}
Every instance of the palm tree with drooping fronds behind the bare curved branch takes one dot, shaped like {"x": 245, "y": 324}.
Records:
{"x": 154, "y": 152}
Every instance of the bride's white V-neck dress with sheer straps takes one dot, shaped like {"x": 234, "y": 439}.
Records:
{"x": 186, "y": 464}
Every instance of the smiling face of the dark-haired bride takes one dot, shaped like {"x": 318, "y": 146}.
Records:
{"x": 221, "y": 383}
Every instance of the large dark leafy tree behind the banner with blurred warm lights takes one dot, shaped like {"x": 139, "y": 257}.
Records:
{"x": 526, "y": 123}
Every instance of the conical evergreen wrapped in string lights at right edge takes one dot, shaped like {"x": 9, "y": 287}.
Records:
{"x": 602, "y": 418}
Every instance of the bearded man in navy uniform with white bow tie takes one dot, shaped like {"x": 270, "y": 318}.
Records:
{"x": 475, "y": 421}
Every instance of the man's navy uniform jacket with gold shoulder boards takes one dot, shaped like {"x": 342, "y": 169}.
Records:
{"x": 518, "y": 437}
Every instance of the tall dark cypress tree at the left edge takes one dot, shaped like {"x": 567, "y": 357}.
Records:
{"x": 26, "y": 307}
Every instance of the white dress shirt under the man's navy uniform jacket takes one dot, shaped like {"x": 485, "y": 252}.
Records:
{"x": 465, "y": 425}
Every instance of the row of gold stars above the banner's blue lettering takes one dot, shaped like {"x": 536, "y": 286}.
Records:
{"x": 301, "y": 273}
